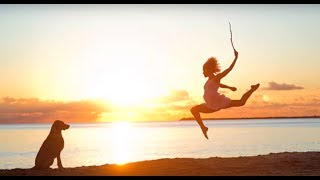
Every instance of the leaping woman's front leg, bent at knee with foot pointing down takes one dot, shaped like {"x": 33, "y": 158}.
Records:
{"x": 196, "y": 113}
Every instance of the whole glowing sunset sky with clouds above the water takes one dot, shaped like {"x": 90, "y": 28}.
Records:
{"x": 143, "y": 62}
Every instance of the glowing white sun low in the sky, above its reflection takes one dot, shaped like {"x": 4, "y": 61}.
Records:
{"x": 125, "y": 88}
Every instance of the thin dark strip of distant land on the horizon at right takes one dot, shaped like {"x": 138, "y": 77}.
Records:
{"x": 285, "y": 117}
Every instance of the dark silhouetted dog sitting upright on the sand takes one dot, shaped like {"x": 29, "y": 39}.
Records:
{"x": 51, "y": 147}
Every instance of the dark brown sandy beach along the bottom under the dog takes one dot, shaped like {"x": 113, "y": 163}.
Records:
{"x": 273, "y": 164}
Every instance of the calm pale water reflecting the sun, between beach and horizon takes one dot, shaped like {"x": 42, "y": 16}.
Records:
{"x": 122, "y": 142}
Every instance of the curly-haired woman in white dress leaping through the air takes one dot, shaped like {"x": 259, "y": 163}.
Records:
{"x": 215, "y": 101}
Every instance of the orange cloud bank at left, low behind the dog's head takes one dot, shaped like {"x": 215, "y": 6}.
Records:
{"x": 37, "y": 111}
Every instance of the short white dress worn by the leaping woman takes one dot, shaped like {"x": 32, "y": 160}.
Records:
{"x": 213, "y": 99}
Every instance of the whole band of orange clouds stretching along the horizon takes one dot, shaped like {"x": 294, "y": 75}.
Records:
{"x": 33, "y": 110}
